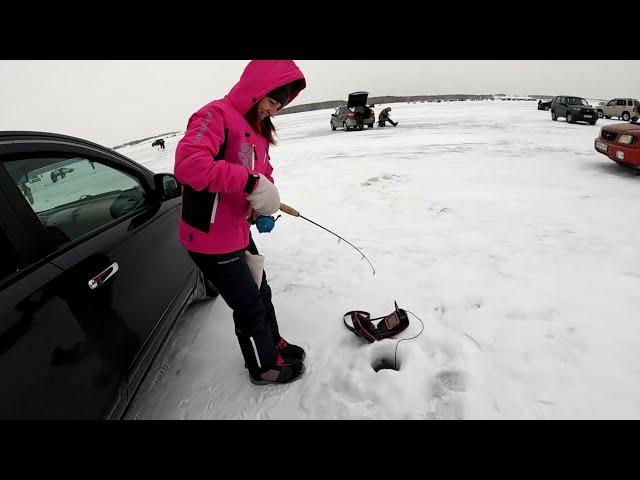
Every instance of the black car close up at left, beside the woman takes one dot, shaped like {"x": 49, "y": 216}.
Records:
{"x": 92, "y": 276}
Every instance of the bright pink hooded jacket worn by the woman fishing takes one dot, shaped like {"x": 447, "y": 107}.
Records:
{"x": 218, "y": 154}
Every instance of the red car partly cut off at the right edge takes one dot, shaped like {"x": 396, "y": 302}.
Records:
{"x": 621, "y": 143}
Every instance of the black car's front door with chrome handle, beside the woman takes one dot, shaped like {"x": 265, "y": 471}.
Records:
{"x": 119, "y": 248}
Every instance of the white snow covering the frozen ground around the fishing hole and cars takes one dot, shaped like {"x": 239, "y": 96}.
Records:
{"x": 512, "y": 239}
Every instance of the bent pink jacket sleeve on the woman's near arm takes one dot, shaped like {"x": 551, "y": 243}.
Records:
{"x": 195, "y": 153}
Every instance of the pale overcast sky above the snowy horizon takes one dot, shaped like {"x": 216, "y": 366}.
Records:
{"x": 113, "y": 102}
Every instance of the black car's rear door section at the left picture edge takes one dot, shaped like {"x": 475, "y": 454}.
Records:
{"x": 50, "y": 368}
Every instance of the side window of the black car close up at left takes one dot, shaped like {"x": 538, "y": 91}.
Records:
{"x": 73, "y": 196}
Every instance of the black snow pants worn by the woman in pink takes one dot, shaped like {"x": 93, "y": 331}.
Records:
{"x": 253, "y": 313}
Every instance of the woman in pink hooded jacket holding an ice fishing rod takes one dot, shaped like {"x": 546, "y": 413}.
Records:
{"x": 223, "y": 164}
